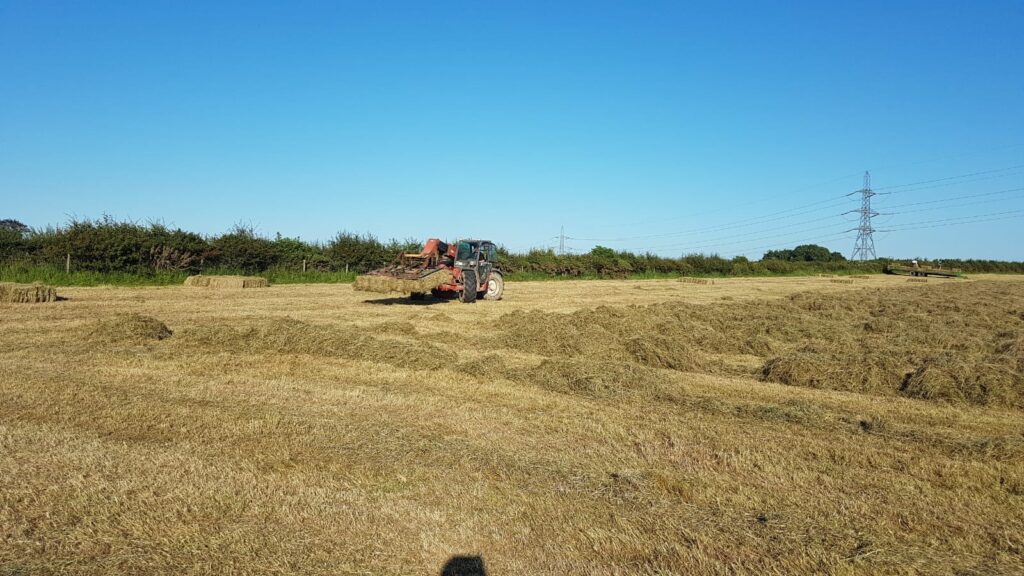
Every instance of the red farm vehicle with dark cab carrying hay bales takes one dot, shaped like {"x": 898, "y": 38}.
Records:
{"x": 467, "y": 270}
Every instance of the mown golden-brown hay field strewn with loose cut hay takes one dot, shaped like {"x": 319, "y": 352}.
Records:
{"x": 750, "y": 426}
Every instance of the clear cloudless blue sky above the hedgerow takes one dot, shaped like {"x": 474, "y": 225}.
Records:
{"x": 670, "y": 128}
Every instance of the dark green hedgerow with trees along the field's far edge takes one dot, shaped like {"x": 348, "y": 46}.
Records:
{"x": 110, "y": 246}
